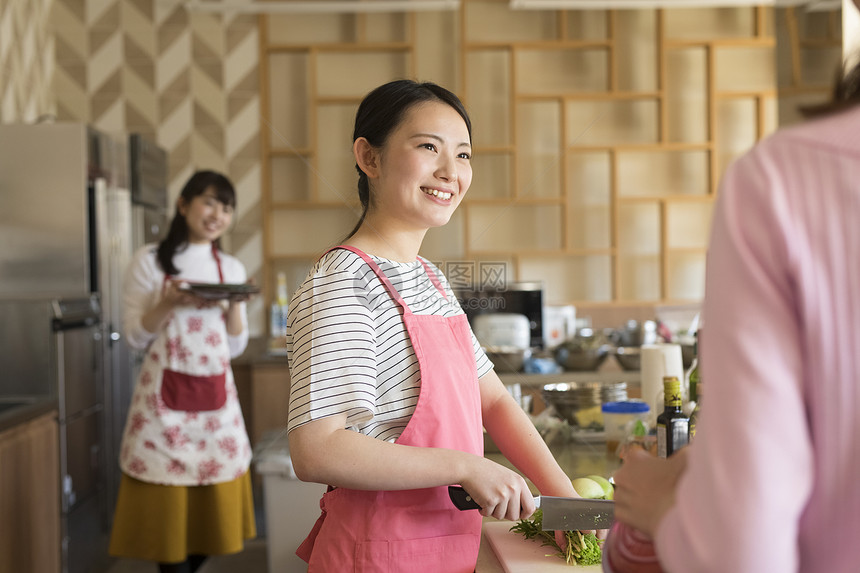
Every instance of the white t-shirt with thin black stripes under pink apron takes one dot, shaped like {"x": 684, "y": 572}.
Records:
{"x": 348, "y": 348}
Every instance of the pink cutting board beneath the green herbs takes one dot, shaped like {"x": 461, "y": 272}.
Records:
{"x": 520, "y": 555}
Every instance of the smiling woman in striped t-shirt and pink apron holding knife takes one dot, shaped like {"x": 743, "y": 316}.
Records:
{"x": 390, "y": 387}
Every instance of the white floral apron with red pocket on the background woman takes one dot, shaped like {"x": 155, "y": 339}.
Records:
{"x": 185, "y": 425}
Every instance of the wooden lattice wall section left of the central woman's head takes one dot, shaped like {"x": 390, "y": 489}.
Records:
{"x": 315, "y": 70}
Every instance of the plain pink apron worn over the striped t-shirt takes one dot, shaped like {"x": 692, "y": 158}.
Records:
{"x": 412, "y": 530}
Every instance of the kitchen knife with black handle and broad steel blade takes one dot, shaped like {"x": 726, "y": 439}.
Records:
{"x": 559, "y": 513}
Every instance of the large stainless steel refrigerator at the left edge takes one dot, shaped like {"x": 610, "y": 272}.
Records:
{"x": 66, "y": 227}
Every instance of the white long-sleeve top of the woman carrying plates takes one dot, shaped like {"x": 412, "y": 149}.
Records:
{"x": 144, "y": 281}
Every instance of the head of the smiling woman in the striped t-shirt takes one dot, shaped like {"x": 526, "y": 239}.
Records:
{"x": 414, "y": 156}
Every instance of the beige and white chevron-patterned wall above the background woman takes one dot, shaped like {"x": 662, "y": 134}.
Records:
{"x": 187, "y": 80}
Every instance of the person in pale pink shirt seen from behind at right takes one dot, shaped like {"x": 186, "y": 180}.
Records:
{"x": 770, "y": 484}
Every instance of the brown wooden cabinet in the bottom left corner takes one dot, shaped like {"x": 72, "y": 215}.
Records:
{"x": 30, "y": 496}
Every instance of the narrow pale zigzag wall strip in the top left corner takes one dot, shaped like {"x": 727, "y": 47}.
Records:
{"x": 26, "y": 60}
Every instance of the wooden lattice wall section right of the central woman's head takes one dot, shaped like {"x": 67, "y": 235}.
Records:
{"x": 613, "y": 127}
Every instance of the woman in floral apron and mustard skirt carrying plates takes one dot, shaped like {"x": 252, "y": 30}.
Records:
{"x": 185, "y": 491}
